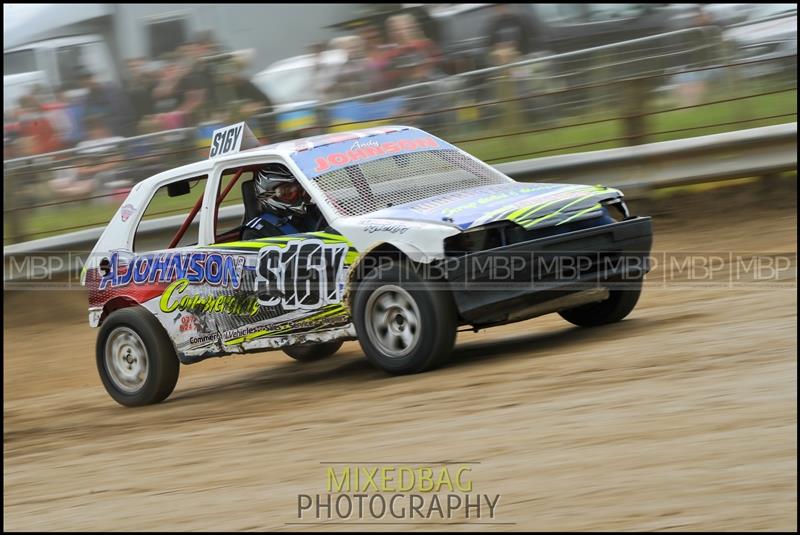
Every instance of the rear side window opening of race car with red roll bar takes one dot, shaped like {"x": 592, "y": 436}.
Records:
{"x": 167, "y": 212}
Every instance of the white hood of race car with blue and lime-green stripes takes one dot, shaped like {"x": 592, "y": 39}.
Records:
{"x": 527, "y": 204}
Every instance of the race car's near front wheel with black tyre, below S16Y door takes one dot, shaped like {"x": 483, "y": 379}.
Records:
{"x": 404, "y": 323}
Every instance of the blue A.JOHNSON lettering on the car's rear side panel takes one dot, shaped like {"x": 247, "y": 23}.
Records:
{"x": 197, "y": 267}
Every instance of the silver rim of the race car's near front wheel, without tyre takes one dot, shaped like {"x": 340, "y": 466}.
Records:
{"x": 393, "y": 321}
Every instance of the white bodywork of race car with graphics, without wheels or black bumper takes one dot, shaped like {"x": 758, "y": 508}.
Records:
{"x": 416, "y": 221}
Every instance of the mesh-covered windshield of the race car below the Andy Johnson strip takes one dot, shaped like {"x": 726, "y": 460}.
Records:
{"x": 359, "y": 189}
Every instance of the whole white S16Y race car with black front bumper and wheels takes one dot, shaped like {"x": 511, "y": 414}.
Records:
{"x": 414, "y": 239}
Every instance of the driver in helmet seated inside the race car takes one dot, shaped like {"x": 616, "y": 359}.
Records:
{"x": 286, "y": 208}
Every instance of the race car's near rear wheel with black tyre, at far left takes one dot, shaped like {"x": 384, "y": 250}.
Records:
{"x": 135, "y": 358}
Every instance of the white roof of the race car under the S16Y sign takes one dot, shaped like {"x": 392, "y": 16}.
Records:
{"x": 283, "y": 149}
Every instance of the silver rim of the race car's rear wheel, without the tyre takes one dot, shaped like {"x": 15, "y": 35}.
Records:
{"x": 126, "y": 360}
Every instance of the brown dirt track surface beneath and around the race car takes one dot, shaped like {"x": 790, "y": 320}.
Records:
{"x": 684, "y": 416}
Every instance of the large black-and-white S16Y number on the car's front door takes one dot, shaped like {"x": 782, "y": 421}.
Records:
{"x": 301, "y": 275}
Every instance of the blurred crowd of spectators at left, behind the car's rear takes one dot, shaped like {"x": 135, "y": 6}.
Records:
{"x": 196, "y": 83}
